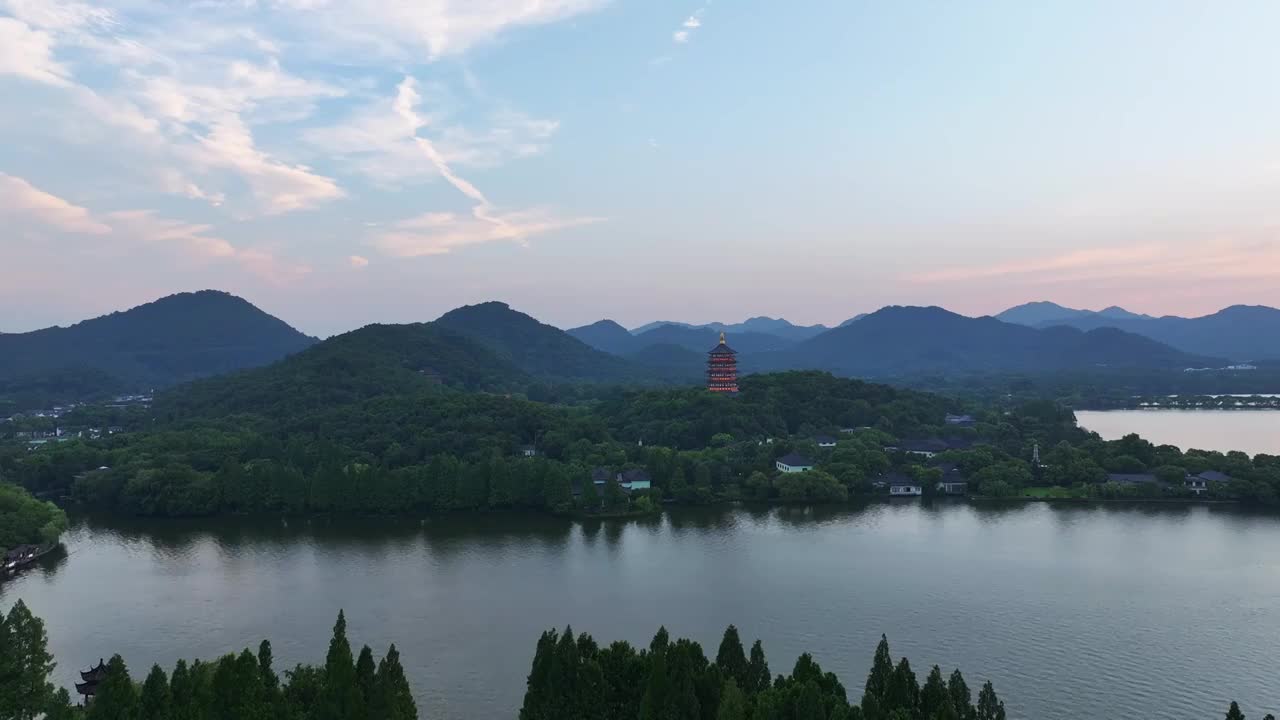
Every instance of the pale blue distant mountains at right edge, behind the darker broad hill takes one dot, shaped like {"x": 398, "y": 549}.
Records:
{"x": 1240, "y": 334}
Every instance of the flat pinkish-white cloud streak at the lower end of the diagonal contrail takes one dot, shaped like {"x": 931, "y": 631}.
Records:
{"x": 438, "y": 234}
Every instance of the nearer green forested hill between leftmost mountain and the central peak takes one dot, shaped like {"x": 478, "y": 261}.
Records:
{"x": 376, "y": 361}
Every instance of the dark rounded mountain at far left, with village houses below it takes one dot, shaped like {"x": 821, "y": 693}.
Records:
{"x": 168, "y": 341}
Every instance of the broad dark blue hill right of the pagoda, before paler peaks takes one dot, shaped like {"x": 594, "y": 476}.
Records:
{"x": 900, "y": 341}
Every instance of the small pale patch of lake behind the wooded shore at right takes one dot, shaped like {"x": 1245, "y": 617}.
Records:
{"x": 1249, "y": 431}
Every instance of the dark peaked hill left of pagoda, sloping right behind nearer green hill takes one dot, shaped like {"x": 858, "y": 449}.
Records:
{"x": 536, "y": 348}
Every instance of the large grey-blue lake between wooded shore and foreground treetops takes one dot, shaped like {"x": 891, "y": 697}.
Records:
{"x": 1103, "y": 612}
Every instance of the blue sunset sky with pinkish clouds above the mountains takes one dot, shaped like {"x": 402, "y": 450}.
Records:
{"x": 346, "y": 162}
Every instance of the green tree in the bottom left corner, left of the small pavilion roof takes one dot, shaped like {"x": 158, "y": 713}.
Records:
{"x": 25, "y": 666}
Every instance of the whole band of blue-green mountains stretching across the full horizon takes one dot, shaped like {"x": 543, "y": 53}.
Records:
{"x": 492, "y": 347}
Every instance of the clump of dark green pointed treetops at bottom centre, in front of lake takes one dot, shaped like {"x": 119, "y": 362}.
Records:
{"x": 573, "y": 678}
